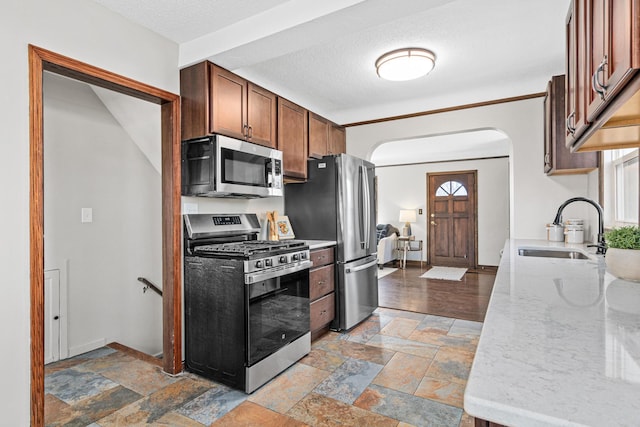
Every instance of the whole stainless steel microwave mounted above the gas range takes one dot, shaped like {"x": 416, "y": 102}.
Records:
{"x": 219, "y": 166}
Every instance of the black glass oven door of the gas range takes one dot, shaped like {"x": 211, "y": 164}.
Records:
{"x": 278, "y": 313}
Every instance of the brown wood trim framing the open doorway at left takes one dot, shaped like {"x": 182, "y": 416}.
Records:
{"x": 39, "y": 61}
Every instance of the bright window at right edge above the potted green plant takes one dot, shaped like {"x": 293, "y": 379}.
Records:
{"x": 625, "y": 183}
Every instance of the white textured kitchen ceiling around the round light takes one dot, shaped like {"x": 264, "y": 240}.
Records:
{"x": 320, "y": 54}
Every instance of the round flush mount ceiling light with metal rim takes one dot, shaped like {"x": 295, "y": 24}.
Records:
{"x": 405, "y": 64}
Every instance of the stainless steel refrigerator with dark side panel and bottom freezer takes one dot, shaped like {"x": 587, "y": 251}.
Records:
{"x": 338, "y": 203}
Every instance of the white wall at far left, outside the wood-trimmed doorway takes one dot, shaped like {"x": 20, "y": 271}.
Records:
{"x": 85, "y": 31}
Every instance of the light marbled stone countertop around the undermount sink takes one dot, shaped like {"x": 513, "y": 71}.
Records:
{"x": 560, "y": 344}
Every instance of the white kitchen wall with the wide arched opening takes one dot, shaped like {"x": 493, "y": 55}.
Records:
{"x": 534, "y": 197}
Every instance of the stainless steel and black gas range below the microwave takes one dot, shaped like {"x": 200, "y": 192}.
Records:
{"x": 246, "y": 301}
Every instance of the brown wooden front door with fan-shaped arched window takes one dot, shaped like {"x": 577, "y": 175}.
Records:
{"x": 452, "y": 219}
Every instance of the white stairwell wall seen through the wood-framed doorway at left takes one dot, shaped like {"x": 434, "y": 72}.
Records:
{"x": 90, "y": 162}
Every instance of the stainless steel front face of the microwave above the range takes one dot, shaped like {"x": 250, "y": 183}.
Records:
{"x": 248, "y": 169}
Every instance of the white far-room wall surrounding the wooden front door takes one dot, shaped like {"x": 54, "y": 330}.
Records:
{"x": 405, "y": 187}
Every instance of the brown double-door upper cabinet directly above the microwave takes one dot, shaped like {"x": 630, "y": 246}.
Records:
{"x": 215, "y": 100}
